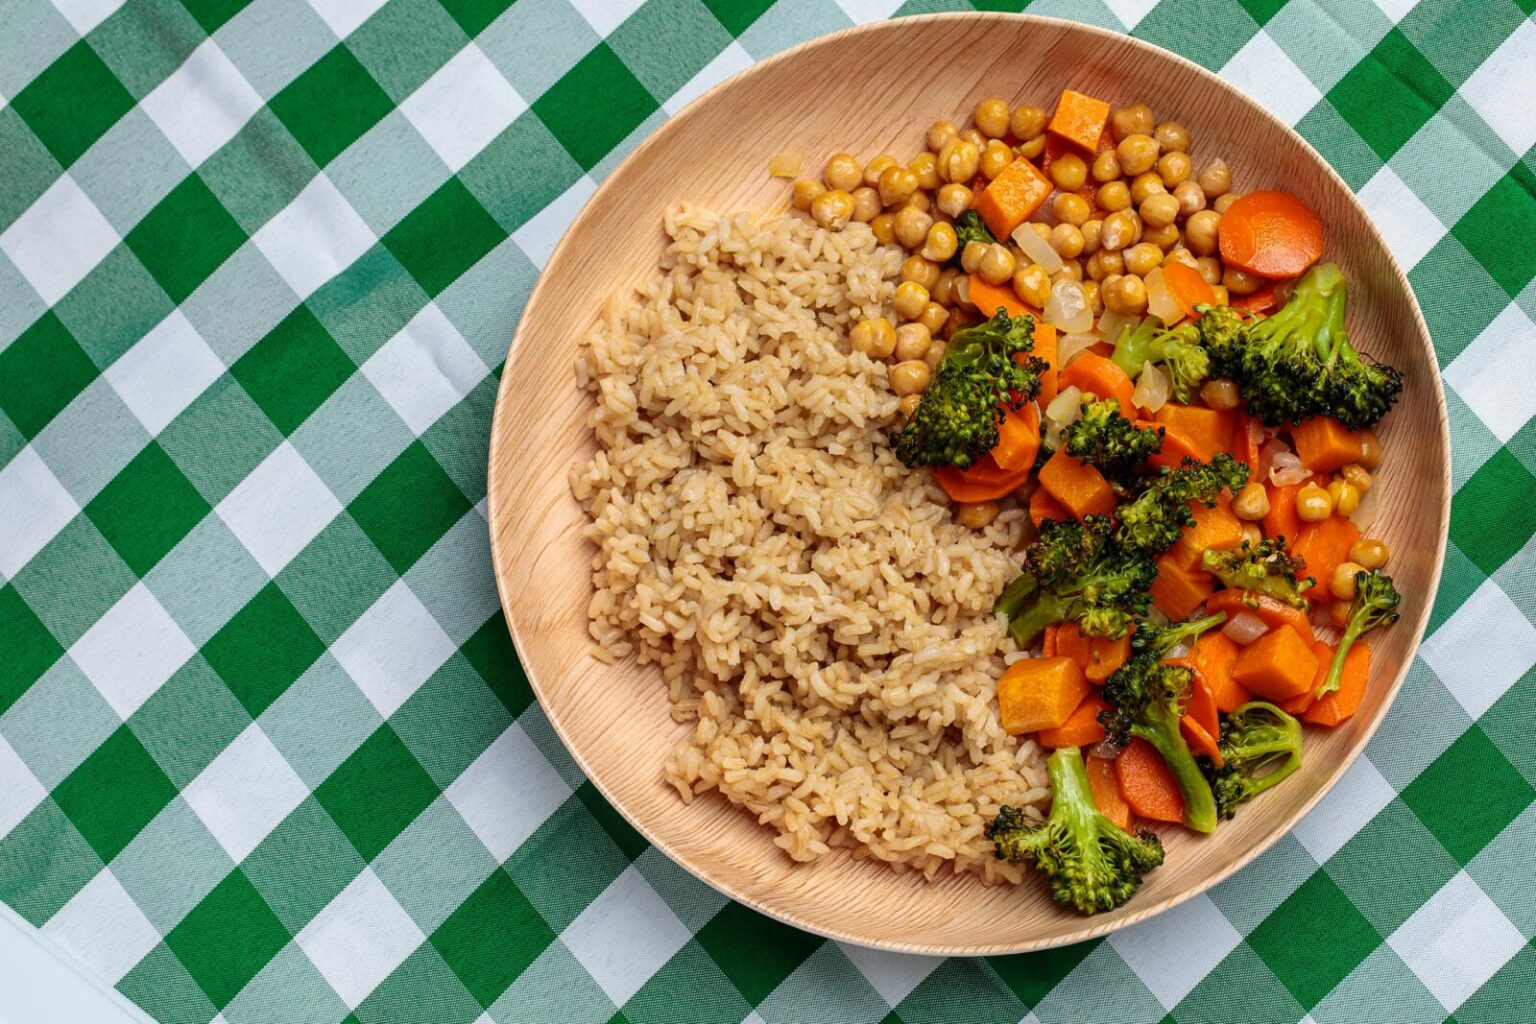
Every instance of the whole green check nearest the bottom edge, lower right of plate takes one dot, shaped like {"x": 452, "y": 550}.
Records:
{"x": 1314, "y": 940}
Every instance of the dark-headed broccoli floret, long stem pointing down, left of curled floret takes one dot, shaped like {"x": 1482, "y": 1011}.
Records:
{"x": 1147, "y": 699}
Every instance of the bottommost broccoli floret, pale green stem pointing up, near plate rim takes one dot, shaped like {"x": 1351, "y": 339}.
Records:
{"x": 1088, "y": 860}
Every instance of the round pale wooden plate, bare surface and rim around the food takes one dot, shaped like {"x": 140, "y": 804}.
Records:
{"x": 867, "y": 91}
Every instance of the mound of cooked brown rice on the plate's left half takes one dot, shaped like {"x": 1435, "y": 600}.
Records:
{"x": 815, "y": 610}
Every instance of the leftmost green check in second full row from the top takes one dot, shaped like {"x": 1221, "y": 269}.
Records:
{"x": 185, "y": 239}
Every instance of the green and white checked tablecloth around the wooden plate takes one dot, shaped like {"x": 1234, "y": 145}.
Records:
{"x": 265, "y": 748}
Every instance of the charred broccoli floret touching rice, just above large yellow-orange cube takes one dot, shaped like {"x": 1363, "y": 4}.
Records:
{"x": 1074, "y": 572}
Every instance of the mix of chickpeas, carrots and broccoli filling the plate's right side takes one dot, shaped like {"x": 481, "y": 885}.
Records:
{"x": 1160, "y": 371}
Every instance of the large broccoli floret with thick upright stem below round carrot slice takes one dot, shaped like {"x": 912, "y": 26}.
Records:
{"x": 1300, "y": 362}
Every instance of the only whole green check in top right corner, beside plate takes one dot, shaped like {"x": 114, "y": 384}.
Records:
{"x": 1389, "y": 96}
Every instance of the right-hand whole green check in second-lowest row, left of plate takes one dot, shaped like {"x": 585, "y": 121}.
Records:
{"x": 377, "y": 793}
